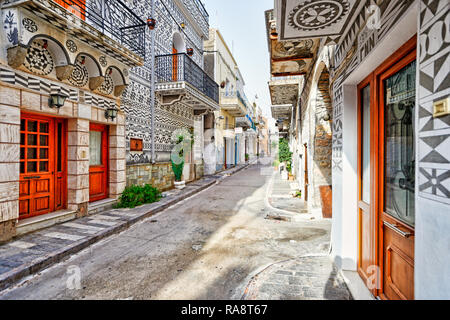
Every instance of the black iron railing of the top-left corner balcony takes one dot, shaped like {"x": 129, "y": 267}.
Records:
{"x": 112, "y": 18}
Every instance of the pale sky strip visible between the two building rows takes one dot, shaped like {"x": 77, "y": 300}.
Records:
{"x": 242, "y": 25}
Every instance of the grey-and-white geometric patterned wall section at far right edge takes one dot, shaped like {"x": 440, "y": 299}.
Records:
{"x": 434, "y": 85}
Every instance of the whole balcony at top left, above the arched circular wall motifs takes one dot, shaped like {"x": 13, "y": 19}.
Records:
{"x": 107, "y": 25}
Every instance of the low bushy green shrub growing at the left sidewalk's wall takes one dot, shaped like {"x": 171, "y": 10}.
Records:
{"x": 135, "y": 196}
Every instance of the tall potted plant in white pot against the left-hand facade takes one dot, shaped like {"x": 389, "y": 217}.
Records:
{"x": 183, "y": 142}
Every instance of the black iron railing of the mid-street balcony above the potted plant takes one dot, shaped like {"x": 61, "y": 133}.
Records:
{"x": 179, "y": 67}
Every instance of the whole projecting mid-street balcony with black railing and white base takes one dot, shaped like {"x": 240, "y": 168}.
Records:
{"x": 179, "y": 78}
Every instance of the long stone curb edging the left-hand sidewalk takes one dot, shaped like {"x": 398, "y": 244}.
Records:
{"x": 11, "y": 277}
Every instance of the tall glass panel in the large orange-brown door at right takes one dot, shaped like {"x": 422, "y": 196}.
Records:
{"x": 399, "y": 160}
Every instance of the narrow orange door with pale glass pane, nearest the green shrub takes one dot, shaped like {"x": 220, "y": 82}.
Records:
{"x": 98, "y": 162}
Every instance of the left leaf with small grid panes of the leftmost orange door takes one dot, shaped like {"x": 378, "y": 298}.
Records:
{"x": 36, "y": 191}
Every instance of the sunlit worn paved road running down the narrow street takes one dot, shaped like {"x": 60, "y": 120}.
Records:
{"x": 206, "y": 247}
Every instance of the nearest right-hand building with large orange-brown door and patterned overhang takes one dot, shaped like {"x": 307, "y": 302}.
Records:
{"x": 387, "y": 68}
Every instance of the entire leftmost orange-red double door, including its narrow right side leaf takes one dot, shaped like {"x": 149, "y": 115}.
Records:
{"x": 37, "y": 191}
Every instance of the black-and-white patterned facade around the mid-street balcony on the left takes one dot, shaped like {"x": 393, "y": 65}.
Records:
{"x": 169, "y": 15}
